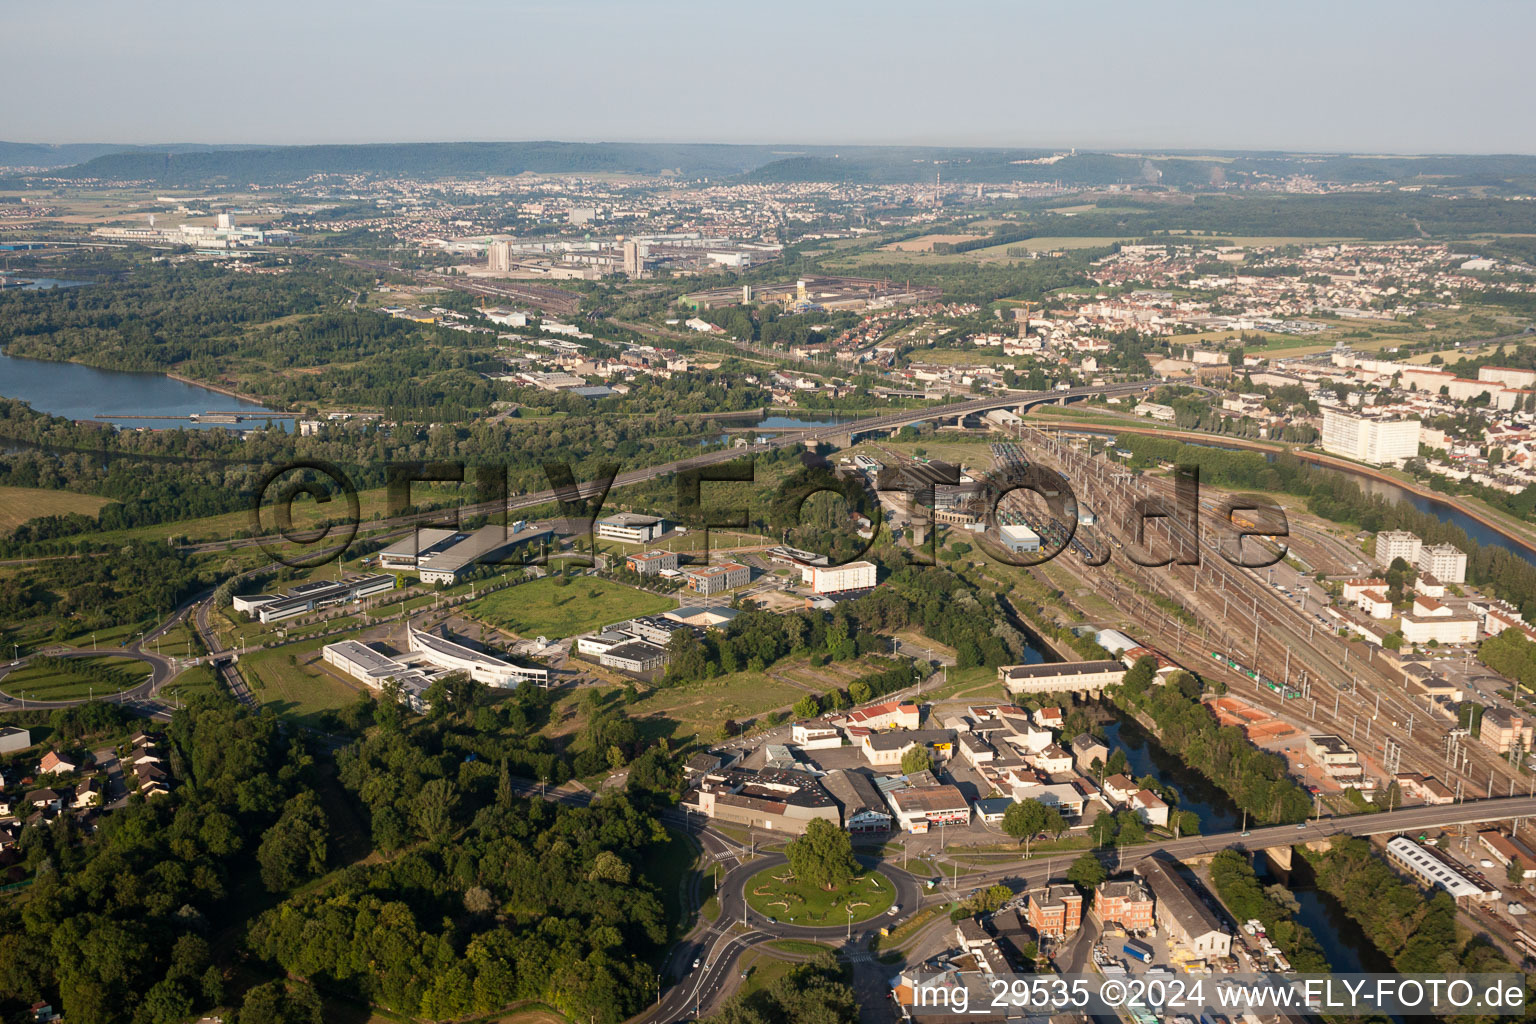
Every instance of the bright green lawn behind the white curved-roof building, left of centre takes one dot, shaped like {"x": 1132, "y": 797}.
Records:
{"x": 549, "y": 610}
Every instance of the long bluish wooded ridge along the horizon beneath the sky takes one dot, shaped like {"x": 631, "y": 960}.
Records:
{"x": 190, "y": 165}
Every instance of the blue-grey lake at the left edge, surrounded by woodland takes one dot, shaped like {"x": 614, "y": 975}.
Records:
{"x": 128, "y": 400}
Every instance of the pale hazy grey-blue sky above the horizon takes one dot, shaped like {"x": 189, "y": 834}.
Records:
{"x": 1359, "y": 76}
